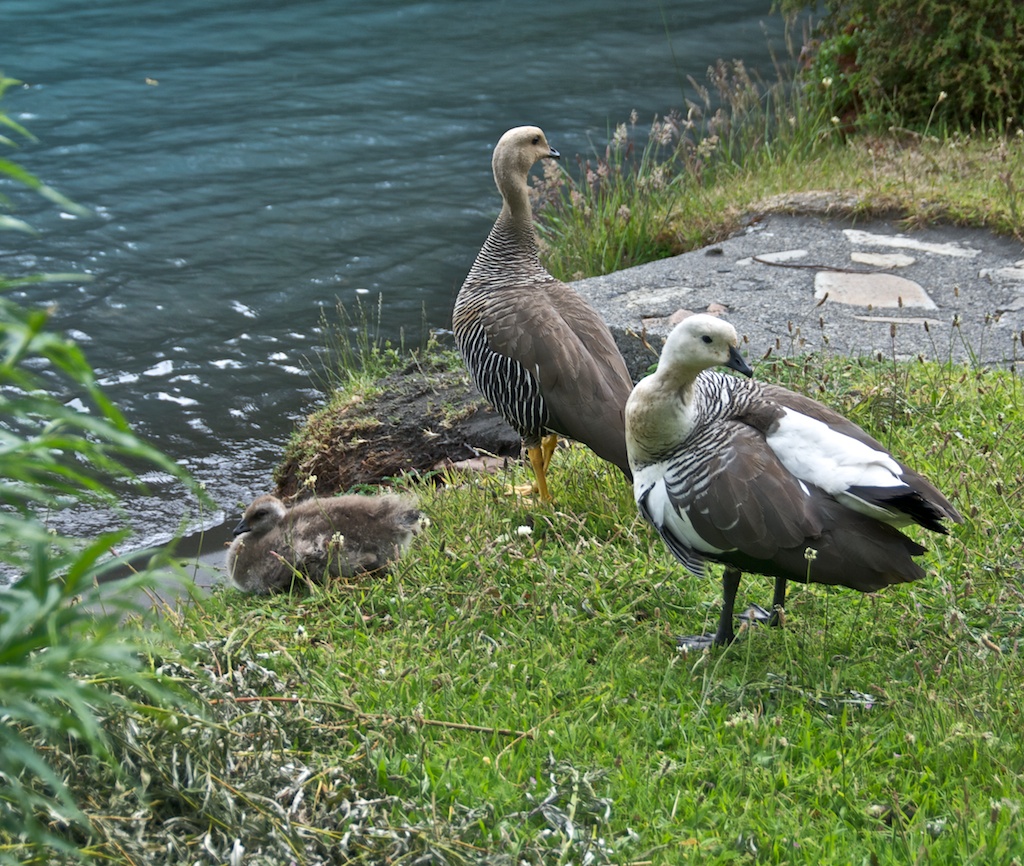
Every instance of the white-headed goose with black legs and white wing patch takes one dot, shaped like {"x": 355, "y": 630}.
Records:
{"x": 763, "y": 480}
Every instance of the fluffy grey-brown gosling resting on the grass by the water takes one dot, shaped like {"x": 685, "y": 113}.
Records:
{"x": 319, "y": 538}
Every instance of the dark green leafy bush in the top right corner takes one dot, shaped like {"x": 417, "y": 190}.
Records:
{"x": 917, "y": 62}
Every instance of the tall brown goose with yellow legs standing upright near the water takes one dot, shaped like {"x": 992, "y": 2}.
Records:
{"x": 537, "y": 351}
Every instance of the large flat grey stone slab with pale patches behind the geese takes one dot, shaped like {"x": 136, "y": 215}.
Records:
{"x": 762, "y": 300}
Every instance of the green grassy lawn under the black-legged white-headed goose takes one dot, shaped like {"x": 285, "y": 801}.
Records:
{"x": 518, "y": 697}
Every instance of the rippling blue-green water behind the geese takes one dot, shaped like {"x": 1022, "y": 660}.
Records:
{"x": 249, "y": 164}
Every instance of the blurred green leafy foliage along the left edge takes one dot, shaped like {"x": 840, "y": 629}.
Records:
{"x": 67, "y": 658}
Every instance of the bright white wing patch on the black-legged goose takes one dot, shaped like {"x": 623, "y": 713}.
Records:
{"x": 816, "y": 453}
